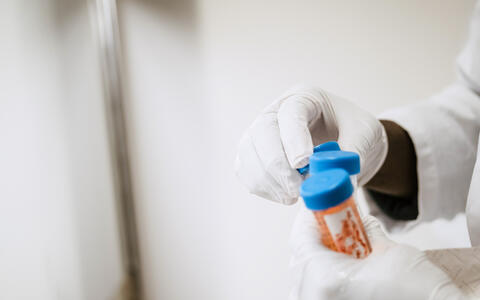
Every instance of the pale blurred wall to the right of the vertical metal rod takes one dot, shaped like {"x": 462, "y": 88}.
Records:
{"x": 198, "y": 74}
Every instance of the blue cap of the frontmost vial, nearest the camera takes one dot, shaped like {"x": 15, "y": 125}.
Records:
{"x": 326, "y": 189}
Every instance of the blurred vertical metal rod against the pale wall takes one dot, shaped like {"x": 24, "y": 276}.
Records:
{"x": 106, "y": 22}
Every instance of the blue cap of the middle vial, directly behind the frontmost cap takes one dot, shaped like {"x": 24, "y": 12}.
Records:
{"x": 321, "y": 161}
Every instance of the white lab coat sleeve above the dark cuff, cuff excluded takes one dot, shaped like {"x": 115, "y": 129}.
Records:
{"x": 444, "y": 130}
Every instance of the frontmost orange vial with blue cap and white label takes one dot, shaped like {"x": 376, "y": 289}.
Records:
{"x": 329, "y": 194}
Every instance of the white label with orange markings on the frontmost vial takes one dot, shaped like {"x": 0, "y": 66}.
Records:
{"x": 346, "y": 232}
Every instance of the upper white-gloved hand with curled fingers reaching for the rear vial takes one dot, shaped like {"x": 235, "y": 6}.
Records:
{"x": 282, "y": 138}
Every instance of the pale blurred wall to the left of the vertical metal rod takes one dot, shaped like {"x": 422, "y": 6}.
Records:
{"x": 58, "y": 231}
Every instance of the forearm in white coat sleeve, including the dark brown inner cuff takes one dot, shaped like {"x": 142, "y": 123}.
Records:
{"x": 438, "y": 138}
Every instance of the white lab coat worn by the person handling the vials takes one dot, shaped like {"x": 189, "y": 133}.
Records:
{"x": 445, "y": 132}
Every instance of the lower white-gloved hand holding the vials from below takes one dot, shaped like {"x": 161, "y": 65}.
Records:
{"x": 392, "y": 271}
